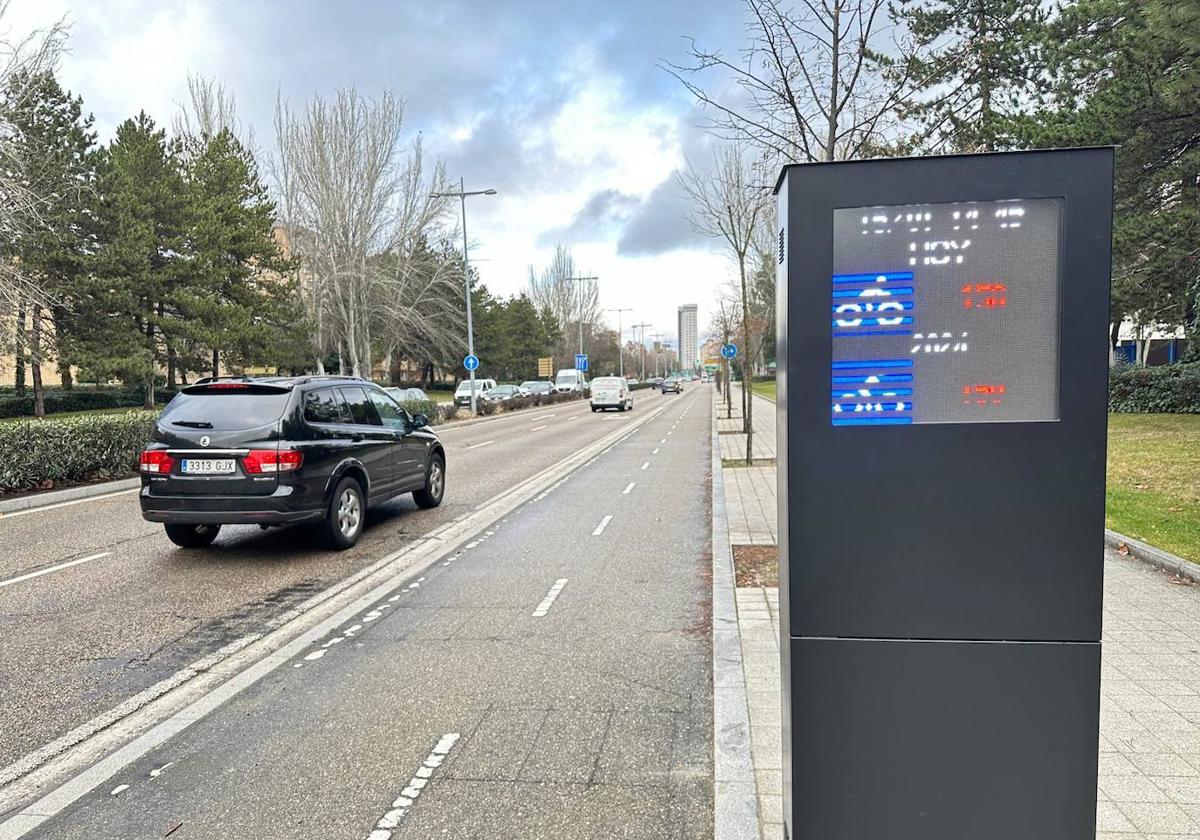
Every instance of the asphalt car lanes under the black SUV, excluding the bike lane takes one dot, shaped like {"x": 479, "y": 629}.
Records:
{"x": 81, "y": 640}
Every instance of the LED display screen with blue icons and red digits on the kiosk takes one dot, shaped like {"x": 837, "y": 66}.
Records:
{"x": 946, "y": 314}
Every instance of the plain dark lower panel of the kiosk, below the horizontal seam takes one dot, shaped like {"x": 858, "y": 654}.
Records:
{"x": 941, "y": 740}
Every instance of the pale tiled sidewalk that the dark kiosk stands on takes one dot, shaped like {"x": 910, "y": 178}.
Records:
{"x": 1149, "y": 787}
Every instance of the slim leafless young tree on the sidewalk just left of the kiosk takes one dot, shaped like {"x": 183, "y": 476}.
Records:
{"x": 729, "y": 203}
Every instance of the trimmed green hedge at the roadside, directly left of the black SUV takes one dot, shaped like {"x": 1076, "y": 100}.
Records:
{"x": 39, "y": 454}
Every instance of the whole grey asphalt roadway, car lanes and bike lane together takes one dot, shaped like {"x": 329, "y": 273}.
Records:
{"x": 548, "y": 675}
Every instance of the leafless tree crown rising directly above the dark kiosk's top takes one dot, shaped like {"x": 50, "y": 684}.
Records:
{"x": 812, "y": 86}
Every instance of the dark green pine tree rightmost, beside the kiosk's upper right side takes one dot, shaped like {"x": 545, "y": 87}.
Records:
{"x": 1127, "y": 73}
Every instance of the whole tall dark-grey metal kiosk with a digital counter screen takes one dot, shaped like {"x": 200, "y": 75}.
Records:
{"x": 943, "y": 404}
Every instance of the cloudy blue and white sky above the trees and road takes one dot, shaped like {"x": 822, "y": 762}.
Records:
{"x": 556, "y": 104}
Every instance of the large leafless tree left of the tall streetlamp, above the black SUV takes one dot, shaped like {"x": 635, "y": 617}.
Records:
{"x": 358, "y": 213}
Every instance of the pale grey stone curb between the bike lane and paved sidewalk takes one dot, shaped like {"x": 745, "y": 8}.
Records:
{"x": 735, "y": 791}
